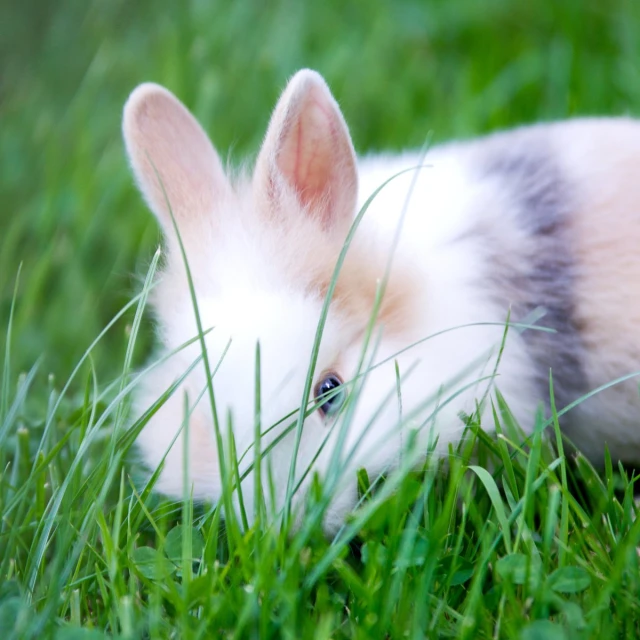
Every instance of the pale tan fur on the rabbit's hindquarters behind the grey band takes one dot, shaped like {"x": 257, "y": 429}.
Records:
{"x": 603, "y": 160}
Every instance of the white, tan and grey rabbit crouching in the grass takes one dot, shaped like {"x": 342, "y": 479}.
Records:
{"x": 537, "y": 225}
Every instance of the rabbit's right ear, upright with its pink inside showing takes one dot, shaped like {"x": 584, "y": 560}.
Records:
{"x": 308, "y": 151}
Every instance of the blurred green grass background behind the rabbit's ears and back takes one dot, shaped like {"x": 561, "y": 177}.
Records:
{"x": 399, "y": 68}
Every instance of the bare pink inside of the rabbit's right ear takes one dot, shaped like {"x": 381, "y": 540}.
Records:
{"x": 311, "y": 157}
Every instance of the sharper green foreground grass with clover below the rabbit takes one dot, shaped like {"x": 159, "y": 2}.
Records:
{"x": 446, "y": 549}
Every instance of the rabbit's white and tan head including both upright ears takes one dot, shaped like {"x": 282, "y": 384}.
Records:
{"x": 261, "y": 252}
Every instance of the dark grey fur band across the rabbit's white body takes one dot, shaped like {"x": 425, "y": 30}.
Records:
{"x": 544, "y": 277}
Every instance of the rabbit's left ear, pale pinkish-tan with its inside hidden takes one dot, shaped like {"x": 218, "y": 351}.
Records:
{"x": 177, "y": 169}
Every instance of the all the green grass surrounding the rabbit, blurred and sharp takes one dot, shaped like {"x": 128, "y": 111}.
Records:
{"x": 538, "y": 548}
